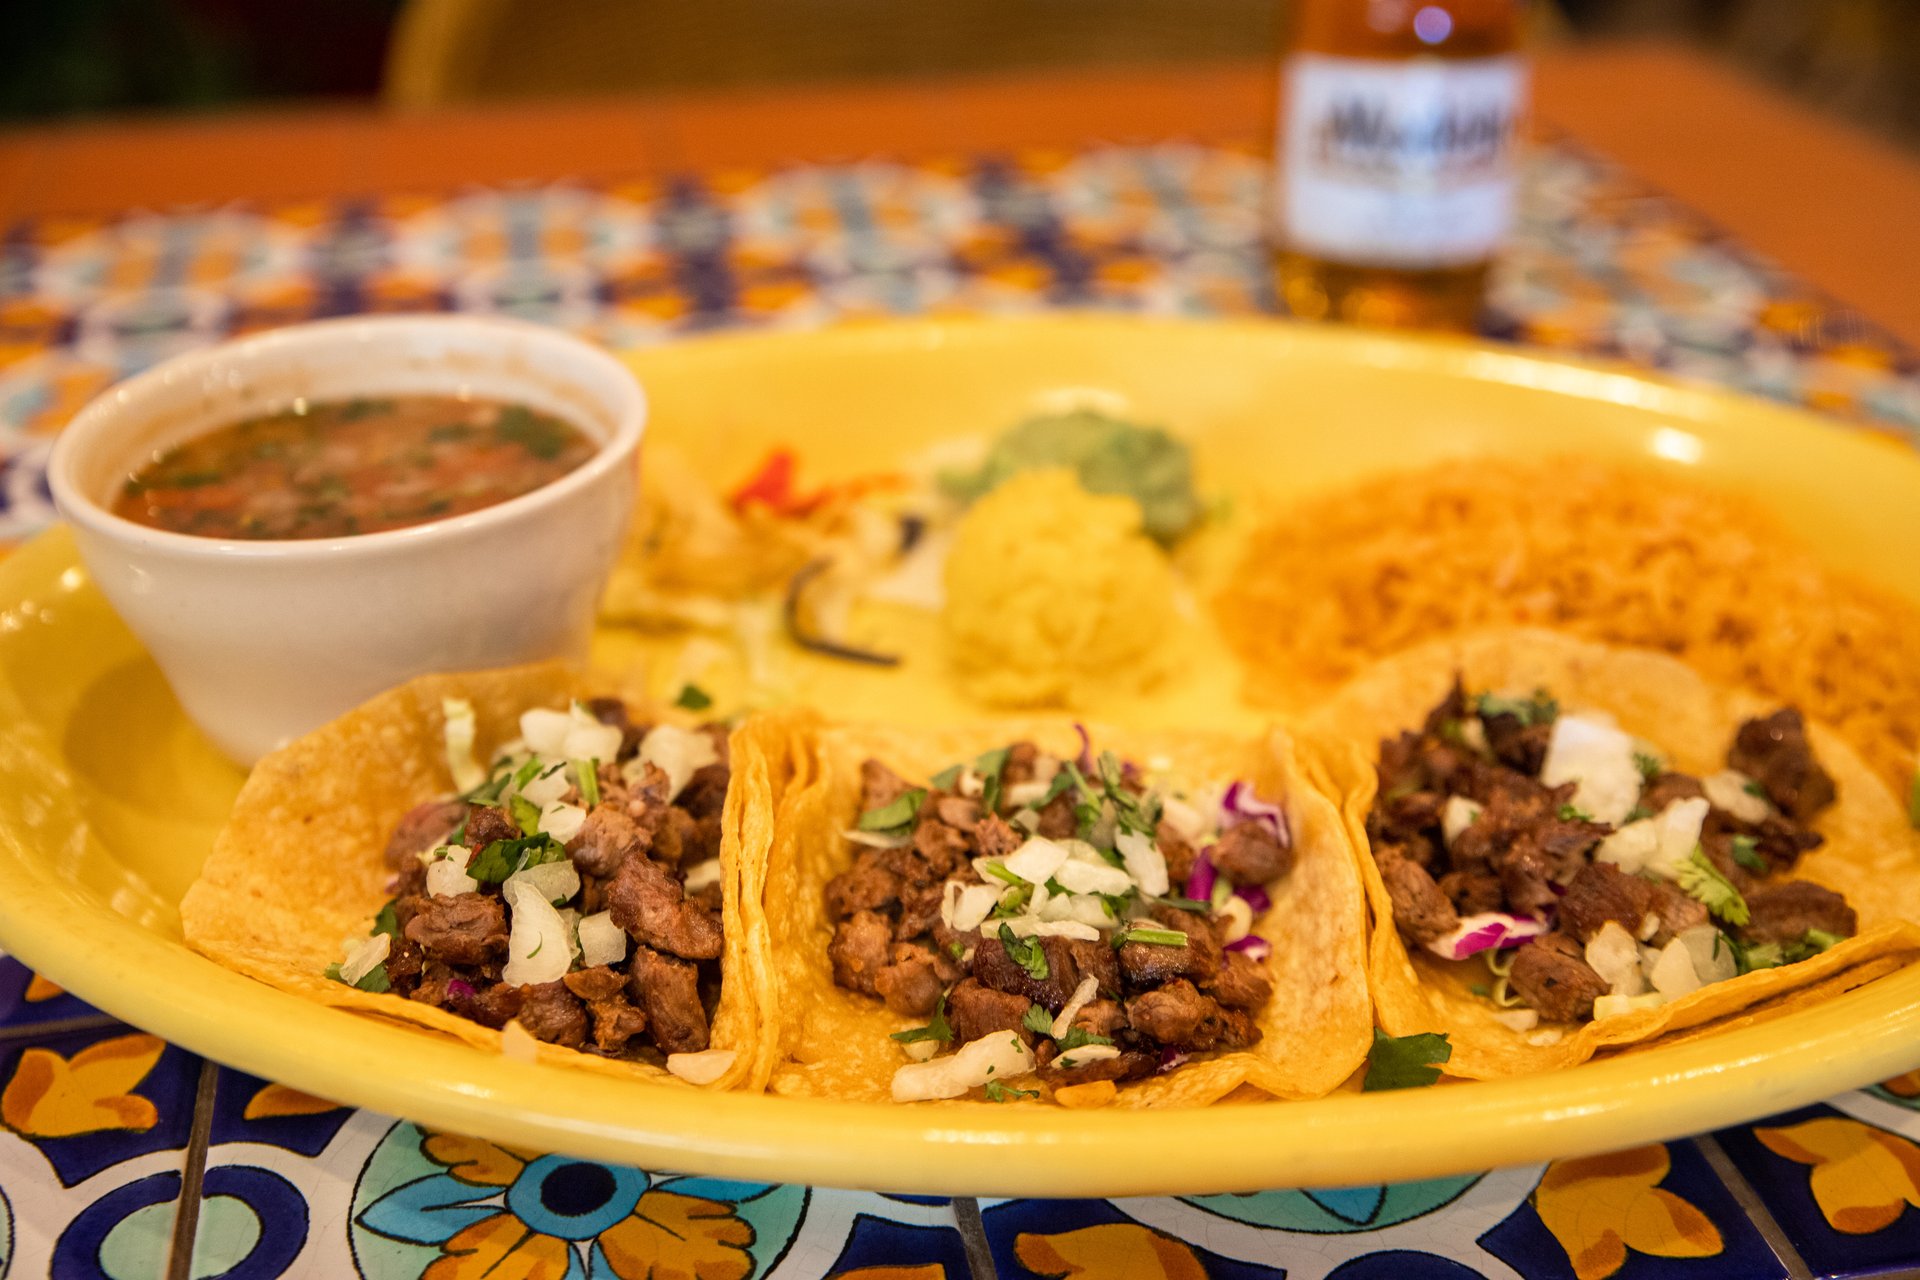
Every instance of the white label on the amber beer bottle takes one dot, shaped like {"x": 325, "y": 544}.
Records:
{"x": 1404, "y": 164}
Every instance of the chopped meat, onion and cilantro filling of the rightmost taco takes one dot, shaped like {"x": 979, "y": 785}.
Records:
{"x": 1589, "y": 876}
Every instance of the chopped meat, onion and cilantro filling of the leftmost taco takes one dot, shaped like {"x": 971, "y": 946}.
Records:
{"x": 573, "y": 889}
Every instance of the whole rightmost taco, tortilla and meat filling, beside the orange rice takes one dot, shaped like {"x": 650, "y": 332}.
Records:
{"x": 1575, "y": 849}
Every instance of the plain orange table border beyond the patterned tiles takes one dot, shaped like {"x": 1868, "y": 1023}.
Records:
{"x": 1827, "y": 202}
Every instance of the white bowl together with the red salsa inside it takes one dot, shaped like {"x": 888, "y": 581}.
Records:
{"x": 300, "y": 519}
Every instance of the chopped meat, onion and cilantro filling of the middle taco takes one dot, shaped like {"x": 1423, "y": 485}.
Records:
{"x": 1055, "y": 916}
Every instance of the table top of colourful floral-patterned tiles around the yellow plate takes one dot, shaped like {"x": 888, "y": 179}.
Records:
{"x": 124, "y": 1156}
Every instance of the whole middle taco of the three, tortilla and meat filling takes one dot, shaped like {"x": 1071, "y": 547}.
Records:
{"x": 1013, "y": 913}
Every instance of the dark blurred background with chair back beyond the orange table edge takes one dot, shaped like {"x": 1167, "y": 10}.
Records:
{"x": 66, "y": 59}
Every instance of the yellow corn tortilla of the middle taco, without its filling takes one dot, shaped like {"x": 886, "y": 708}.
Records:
{"x": 836, "y": 1043}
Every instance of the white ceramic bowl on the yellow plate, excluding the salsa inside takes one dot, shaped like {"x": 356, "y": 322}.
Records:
{"x": 266, "y": 640}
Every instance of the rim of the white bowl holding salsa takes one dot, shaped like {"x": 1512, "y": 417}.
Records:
{"x": 617, "y": 450}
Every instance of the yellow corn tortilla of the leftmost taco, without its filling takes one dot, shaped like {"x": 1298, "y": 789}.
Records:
{"x": 300, "y": 865}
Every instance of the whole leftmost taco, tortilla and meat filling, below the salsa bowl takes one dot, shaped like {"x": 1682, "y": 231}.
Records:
{"x": 496, "y": 861}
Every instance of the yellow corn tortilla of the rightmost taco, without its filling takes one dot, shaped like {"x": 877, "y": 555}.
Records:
{"x": 1871, "y": 855}
